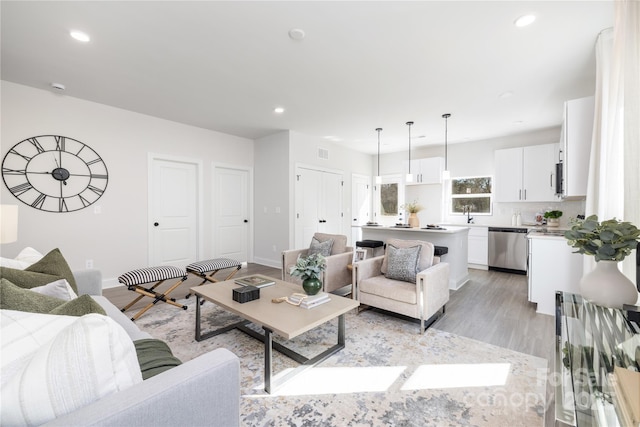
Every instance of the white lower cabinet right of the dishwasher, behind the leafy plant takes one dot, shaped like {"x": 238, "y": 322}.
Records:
{"x": 552, "y": 267}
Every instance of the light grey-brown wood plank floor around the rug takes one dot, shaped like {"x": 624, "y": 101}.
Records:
{"x": 492, "y": 307}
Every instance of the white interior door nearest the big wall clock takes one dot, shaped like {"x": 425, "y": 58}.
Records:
{"x": 173, "y": 213}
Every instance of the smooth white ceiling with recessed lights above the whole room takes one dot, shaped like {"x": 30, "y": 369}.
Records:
{"x": 225, "y": 65}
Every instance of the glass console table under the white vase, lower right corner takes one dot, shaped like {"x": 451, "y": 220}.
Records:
{"x": 590, "y": 341}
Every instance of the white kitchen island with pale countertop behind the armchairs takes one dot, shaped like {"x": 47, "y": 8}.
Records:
{"x": 454, "y": 238}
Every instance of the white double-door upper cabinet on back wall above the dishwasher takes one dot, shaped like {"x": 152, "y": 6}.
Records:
{"x": 525, "y": 174}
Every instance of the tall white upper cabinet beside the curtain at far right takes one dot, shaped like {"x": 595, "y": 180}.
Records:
{"x": 576, "y": 137}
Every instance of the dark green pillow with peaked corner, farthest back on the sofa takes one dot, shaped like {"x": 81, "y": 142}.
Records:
{"x": 50, "y": 268}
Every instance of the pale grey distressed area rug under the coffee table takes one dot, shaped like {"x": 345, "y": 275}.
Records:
{"x": 388, "y": 374}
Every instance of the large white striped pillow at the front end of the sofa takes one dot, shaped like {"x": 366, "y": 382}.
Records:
{"x": 87, "y": 360}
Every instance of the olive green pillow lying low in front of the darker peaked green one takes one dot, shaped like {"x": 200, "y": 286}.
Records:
{"x": 13, "y": 297}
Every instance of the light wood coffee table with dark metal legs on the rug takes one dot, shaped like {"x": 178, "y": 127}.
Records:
{"x": 284, "y": 319}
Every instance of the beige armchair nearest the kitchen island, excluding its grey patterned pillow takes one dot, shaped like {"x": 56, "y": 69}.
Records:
{"x": 424, "y": 300}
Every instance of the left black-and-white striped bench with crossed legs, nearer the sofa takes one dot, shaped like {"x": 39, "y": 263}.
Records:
{"x": 134, "y": 280}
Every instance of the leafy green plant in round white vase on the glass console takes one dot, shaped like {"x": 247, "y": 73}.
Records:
{"x": 609, "y": 242}
